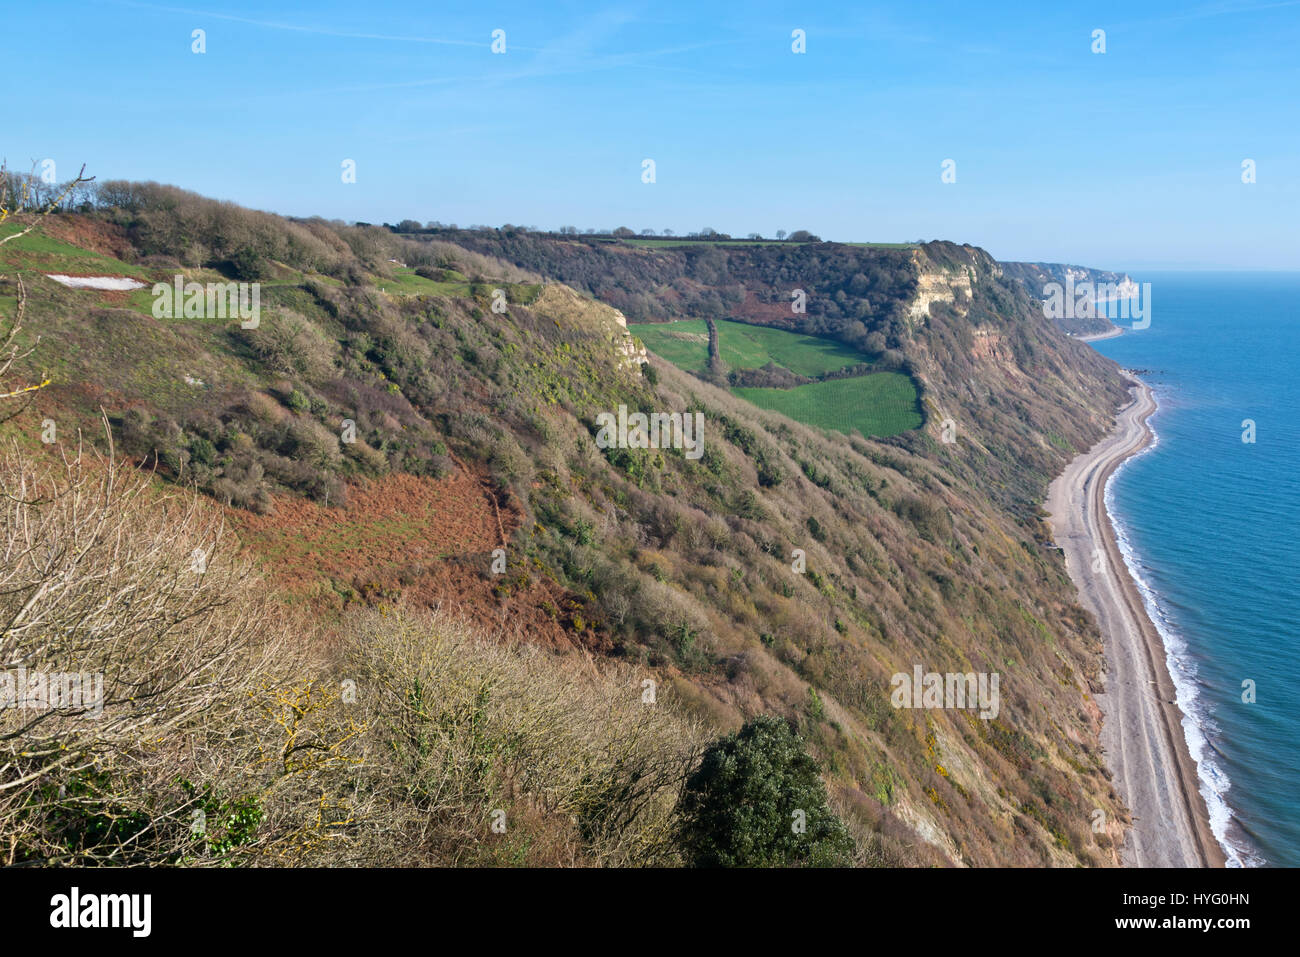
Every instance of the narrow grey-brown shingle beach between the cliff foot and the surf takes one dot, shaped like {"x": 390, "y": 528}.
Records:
{"x": 1142, "y": 729}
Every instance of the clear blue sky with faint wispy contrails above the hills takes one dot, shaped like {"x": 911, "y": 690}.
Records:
{"x": 1130, "y": 159}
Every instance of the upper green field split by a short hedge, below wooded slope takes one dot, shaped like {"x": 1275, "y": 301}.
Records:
{"x": 686, "y": 345}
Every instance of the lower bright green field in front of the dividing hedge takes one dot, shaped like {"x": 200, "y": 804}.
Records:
{"x": 883, "y": 404}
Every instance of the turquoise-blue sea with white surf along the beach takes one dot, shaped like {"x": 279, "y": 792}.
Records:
{"x": 1211, "y": 526}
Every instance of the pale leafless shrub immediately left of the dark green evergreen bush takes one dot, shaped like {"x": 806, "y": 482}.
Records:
{"x": 458, "y": 726}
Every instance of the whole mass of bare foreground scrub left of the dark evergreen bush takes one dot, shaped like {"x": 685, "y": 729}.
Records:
{"x": 406, "y": 739}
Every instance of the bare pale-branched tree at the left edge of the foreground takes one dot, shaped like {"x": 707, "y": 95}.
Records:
{"x": 133, "y": 647}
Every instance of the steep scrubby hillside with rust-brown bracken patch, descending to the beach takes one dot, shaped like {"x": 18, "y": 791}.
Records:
{"x": 783, "y": 570}
